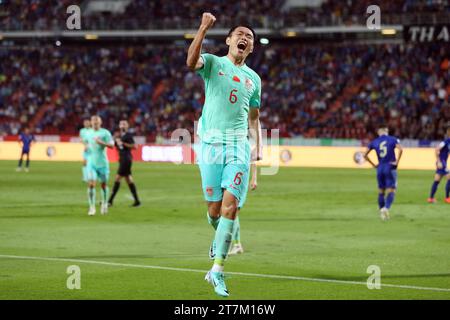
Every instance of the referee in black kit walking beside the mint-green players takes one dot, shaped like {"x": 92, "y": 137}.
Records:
{"x": 124, "y": 145}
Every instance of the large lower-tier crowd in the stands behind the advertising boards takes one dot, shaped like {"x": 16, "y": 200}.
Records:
{"x": 334, "y": 91}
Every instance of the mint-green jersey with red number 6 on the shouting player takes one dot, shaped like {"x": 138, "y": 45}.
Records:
{"x": 230, "y": 91}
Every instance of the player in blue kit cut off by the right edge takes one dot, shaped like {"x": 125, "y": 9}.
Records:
{"x": 442, "y": 152}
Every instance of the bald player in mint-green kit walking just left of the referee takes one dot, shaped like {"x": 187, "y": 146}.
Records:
{"x": 98, "y": 166}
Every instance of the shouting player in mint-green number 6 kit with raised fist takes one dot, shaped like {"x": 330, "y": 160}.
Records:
{"x": 232, "y": 101}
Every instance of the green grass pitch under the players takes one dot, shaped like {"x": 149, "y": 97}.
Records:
{"x": 310, "y": 224}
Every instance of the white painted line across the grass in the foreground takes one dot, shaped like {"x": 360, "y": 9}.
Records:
{"x": 256, "y": 275}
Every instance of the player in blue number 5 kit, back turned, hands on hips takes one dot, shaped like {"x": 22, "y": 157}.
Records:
{"x": 385, "y": 146}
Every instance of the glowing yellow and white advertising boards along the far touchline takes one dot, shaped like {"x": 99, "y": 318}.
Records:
{"x": 283, "y": 156}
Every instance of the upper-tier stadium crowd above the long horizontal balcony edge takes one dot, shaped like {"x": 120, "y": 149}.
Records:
{"x": 144, "y": 14}
